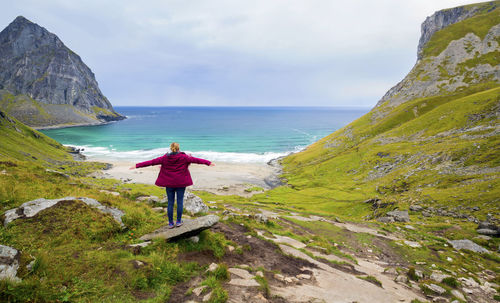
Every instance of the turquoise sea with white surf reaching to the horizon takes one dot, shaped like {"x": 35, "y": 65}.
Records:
{"x": 226, "y": 134}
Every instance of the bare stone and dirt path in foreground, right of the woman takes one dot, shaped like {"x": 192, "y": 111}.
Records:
{"x": 295, "y": 275}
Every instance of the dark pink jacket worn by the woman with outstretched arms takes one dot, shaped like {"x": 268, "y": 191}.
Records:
{"x": 174, "y": 170}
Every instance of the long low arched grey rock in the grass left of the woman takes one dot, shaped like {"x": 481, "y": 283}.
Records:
{"x": 31, "y": 208}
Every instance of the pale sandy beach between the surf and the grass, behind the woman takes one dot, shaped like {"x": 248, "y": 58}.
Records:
{"x": 224, "y": 178}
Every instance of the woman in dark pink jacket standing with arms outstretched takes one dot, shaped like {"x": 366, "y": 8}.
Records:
{"x": 174, "y": 176}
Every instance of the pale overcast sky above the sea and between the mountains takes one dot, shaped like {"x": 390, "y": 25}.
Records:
{"x": 238, "y": 52}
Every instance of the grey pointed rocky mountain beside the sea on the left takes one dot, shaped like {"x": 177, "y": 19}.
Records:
{"x": 44, "y": 83}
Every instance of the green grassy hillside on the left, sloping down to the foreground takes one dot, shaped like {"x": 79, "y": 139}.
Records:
{"x": 80, "y": 254}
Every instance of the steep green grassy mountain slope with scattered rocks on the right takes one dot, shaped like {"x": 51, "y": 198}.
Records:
{"x": 433, "y": 139}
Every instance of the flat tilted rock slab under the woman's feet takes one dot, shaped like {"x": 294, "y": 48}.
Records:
{"x": 190, "y": 228}
